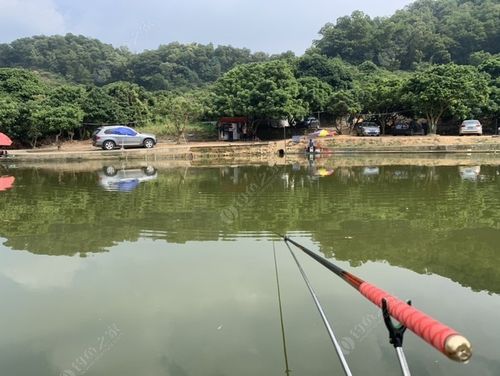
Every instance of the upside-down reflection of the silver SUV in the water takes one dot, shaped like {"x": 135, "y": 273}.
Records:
{"x": 125, "y": 180}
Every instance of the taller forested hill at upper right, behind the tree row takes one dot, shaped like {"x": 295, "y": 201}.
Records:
{"x": 431, "y": 31}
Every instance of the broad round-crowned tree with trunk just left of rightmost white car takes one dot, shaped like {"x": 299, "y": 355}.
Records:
{"x": 459, "y": 90}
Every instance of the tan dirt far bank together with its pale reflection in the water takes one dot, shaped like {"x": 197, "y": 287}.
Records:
{"x": 346, "y": 151}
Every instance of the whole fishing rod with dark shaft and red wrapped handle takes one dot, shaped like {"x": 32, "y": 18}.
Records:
{"x": 441, "y": 337}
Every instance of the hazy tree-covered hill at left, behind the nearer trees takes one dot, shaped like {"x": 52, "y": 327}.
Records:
{"x": 84, "y": 60}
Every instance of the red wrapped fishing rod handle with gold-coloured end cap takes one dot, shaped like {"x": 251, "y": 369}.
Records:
{"x": 440, "y": 336}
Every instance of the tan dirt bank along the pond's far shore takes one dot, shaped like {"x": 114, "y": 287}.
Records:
{"x": 265, "y": 151}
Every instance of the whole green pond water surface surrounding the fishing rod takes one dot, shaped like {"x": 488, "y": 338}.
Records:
{"x": 169, "y": 271}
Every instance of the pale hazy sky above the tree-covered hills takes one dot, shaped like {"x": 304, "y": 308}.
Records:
{"x": 271, "y": 26}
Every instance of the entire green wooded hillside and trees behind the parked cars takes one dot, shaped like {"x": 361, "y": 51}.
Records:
{"x": 438, "y": 60}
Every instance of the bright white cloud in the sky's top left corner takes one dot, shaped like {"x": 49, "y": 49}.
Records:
{"x": 29, "y": 17}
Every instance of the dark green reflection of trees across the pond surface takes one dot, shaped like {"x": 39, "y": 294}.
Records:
{"x": 428, "y": 219}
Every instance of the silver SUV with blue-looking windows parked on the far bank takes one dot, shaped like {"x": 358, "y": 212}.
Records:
{"x": 110, "y": 137}
